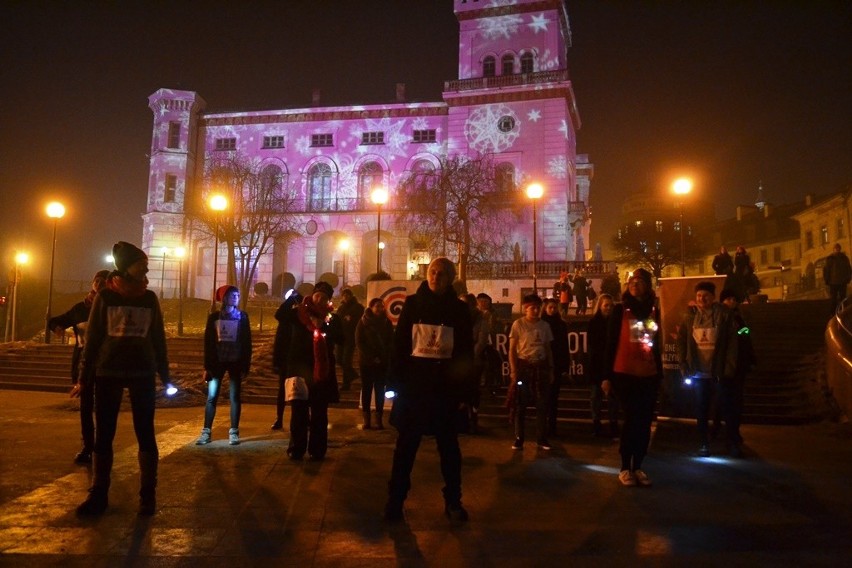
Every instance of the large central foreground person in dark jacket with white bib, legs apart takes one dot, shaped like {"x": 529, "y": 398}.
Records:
{"x": 432, "y": 374}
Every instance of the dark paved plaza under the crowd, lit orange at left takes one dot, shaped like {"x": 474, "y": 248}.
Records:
{"x": 788, "y": 503}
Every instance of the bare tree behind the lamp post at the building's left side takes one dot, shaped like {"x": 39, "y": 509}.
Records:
{"x": 260, "y": 206}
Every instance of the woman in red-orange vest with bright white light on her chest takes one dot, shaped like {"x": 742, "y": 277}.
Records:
{"x": 634, "y": 371}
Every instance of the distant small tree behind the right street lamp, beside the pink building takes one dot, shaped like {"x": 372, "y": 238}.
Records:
{"x": 655, "y": 245}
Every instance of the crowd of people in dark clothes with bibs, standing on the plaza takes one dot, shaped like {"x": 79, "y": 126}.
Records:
{"x": 437, "y": 360}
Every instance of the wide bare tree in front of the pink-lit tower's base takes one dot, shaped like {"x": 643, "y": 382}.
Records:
{"x": 462, "y": 205}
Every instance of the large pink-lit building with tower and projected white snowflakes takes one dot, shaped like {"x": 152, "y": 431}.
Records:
{"x": 512, "y": 99}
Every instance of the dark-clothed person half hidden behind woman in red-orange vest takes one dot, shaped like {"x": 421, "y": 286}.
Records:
{"x": 597, "y": 331}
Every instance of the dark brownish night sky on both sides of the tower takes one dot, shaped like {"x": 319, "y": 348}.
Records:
{"x": 731, "y": 92}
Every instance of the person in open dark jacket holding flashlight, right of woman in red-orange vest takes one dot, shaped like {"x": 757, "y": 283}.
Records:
{"x": 707, "y": 351}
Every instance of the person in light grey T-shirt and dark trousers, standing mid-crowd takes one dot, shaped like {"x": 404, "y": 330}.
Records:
{"x": 530, "y": 371}
